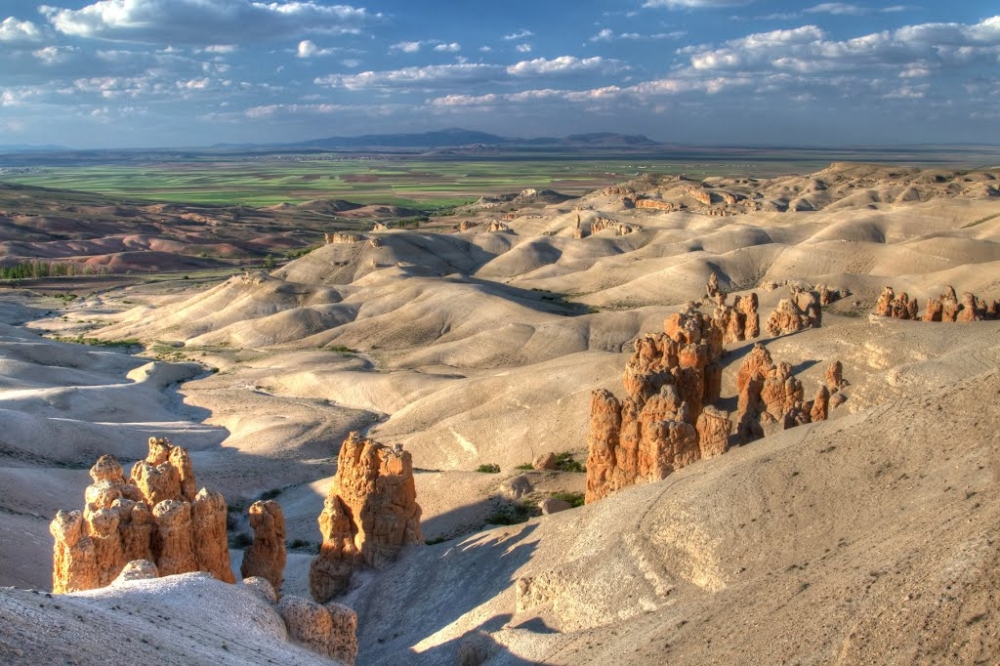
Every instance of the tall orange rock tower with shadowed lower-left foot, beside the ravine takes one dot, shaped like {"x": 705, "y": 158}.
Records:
{"x": 370, "y": 513}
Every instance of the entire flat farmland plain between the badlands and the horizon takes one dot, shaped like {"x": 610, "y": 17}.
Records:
{"x": 423, "y": 182}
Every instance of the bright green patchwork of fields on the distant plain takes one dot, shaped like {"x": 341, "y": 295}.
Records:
{"x": 403, "y": 182}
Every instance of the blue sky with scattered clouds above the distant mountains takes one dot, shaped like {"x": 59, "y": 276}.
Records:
{"x": 152, "y": 73}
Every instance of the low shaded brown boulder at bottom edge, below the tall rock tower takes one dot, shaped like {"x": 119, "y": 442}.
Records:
{"x": 327, "y": 629}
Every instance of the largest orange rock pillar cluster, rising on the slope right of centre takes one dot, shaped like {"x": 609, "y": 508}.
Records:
{"x": 662, "y": 424}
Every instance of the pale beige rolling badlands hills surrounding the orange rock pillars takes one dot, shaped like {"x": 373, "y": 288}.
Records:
{"x": 867, "y": 538}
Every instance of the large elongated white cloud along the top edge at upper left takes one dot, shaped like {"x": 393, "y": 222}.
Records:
{"x": 200, "y": 22}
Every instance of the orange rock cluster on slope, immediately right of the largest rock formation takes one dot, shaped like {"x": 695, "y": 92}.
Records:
{"x": 772, "y": 399}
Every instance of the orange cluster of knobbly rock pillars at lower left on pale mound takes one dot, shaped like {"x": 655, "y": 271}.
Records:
{"x": 154, "y": 515}
